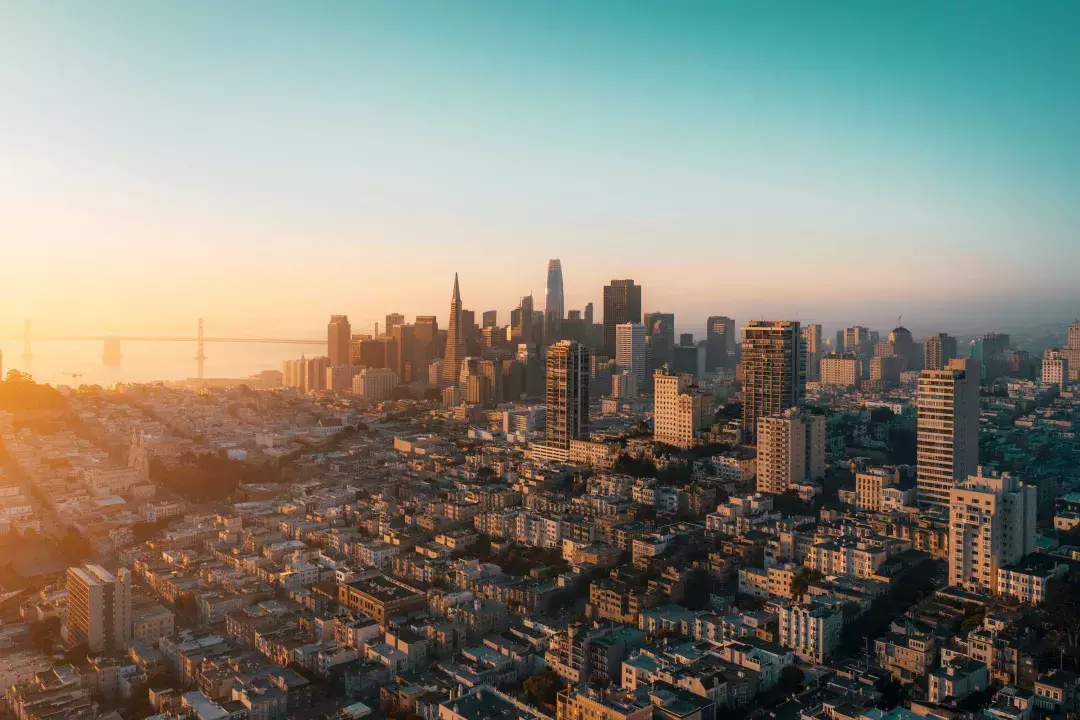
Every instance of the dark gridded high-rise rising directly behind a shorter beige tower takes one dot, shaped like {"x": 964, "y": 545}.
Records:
{"x": 774, "y": 373}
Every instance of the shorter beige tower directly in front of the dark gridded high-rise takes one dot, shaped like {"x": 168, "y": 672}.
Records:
{"x": 791, "y": 449}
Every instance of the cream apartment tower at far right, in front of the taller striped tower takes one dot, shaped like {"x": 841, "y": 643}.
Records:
{"x": 992, "y": 525}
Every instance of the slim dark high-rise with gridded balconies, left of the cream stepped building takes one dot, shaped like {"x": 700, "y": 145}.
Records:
{"x": 568, "y": 393}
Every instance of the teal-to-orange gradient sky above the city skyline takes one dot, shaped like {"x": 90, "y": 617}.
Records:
{"x": 266, "y": 165}
